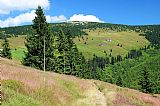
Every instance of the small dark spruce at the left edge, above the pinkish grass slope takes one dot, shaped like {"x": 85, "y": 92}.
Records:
{"x": 6, "y": 51}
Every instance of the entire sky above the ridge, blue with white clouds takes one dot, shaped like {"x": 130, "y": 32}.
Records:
{"x": 131, "y": 12}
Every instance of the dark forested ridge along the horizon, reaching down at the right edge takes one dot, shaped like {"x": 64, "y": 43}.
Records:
{"x": 151, "y": 32}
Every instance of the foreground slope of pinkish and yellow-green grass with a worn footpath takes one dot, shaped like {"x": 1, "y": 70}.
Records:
{"x": 23, "y": 86}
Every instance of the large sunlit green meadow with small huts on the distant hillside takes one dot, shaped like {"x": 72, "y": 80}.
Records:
{"x": 103, "y": 42}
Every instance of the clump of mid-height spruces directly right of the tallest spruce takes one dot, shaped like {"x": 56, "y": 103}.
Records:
{"x": 69, "y": 60}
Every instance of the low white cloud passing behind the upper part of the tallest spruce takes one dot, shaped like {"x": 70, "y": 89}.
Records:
{"x": 27, "y": 18}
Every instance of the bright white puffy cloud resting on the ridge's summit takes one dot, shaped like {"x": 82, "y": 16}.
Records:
{"x": 81, "y": 17}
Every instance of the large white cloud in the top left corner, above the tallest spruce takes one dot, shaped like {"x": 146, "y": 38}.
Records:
{"x": 6, "y": 6}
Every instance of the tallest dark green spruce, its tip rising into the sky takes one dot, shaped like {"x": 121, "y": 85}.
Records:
{"x": 35, "y": 44}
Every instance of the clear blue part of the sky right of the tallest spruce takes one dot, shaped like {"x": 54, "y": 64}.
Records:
{"x": 114, "y": 11}
